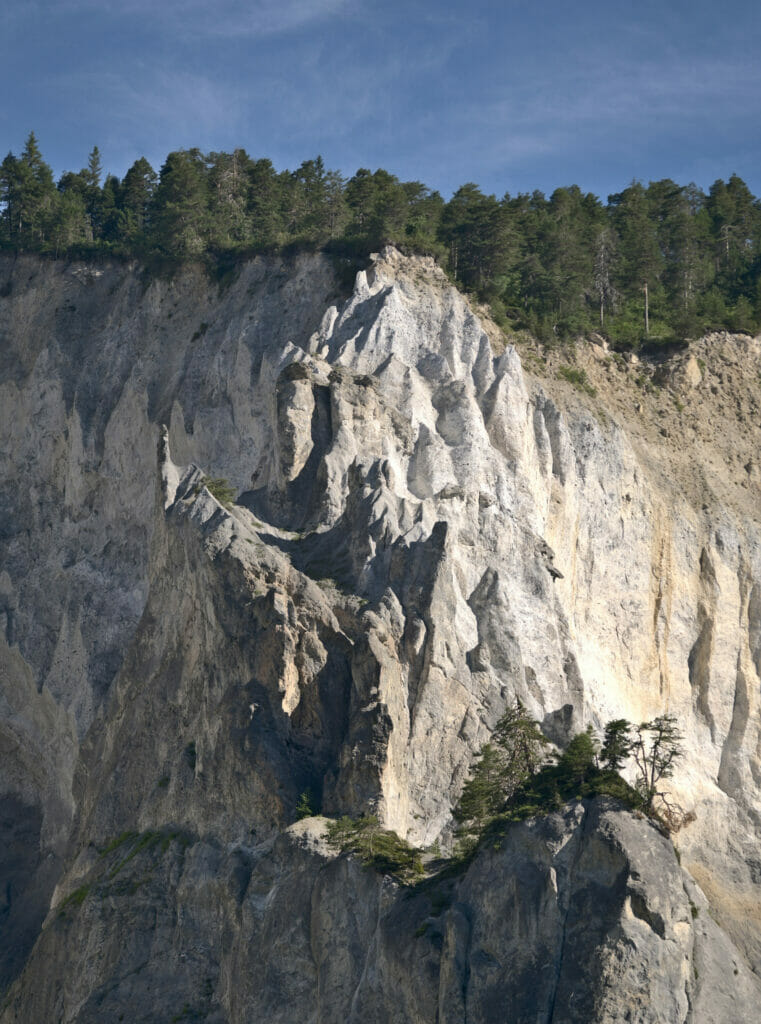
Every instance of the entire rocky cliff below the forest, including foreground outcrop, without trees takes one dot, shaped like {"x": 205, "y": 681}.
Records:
{"x": 426, "y": 530}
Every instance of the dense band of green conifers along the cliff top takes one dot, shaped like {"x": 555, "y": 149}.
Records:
{"x": 657, "y": 264}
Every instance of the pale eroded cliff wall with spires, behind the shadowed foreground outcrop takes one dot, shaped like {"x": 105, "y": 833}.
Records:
{"x": 425, "y": 532}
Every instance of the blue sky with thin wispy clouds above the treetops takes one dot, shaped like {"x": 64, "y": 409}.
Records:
{"x": 514, "y": 96}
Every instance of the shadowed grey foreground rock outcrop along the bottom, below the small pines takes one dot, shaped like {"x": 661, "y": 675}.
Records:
{"x": 579, "y": 917}
